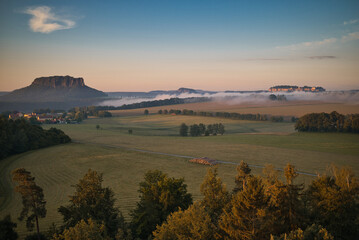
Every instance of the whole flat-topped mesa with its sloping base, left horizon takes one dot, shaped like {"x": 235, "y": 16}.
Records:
{"x": 54, "y": 89}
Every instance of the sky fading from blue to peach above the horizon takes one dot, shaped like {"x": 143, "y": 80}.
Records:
{"x": 131, "y": 45}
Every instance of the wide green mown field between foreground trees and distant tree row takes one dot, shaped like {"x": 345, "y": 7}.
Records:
{"x": 110, "y": 150}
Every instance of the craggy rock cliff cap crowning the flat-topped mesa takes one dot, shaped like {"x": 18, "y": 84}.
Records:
{"x": 59, "y": 82}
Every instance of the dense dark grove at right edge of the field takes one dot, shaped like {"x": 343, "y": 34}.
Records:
{"x": 328, "y": 122}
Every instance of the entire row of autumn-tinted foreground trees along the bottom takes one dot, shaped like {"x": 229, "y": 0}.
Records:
{"x": 258, "y": 207}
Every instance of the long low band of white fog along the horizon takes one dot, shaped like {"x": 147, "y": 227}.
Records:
{"x": 351, "y": 97}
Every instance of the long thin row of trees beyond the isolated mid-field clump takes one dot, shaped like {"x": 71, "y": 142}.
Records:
{"x": 238, "y": 116}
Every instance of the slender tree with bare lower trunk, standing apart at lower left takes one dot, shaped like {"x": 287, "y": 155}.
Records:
{"x": 32, "y": 199}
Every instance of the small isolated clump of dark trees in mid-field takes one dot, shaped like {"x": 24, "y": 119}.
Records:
{"x": 201, "y": 129}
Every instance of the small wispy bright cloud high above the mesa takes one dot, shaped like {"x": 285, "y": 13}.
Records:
{"x": 45, "y": 21}
